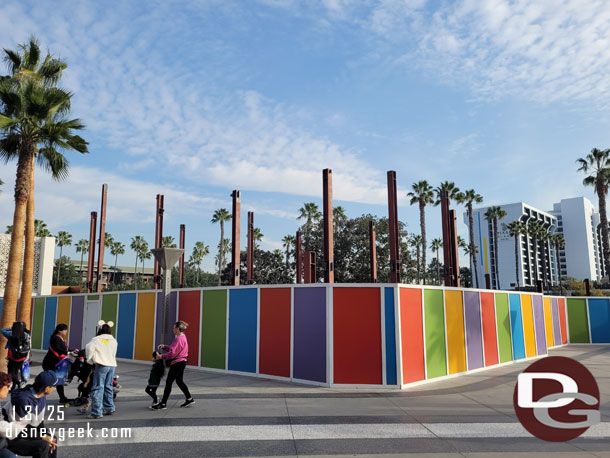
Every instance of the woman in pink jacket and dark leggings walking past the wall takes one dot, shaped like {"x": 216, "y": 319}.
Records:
{"x": 177, "y": 352}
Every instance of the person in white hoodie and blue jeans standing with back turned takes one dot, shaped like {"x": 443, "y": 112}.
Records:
{"x": 101, "y": 352}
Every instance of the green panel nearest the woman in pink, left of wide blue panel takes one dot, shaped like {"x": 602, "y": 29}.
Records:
{"x": 214, "y": 329}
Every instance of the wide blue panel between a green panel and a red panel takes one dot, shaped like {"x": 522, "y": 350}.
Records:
{"x": 243, "y": 323}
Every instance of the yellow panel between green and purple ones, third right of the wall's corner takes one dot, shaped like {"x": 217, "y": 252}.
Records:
{"x": 456, "y": 345}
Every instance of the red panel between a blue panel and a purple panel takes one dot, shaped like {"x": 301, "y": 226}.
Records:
{"x": 274, "y": 356}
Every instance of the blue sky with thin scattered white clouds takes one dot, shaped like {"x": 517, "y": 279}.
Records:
{"x": 192, "y": 99}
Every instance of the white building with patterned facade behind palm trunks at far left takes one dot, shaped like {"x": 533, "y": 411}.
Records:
{"x": 44, "y": 253}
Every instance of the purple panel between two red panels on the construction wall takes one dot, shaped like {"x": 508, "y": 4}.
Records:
{"x": 309, "y": 357}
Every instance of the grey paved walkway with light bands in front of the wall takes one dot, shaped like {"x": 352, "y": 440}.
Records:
{"x": 466, "y": 416}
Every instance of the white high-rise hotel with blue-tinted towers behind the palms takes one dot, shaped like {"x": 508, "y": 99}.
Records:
{"x": 575, "y": 218}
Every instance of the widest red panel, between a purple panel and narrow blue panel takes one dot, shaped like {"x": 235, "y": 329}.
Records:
{"x": 357, "y": 335}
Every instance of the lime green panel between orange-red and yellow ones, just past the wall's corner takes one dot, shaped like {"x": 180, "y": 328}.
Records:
{"x": 436, "y": 359}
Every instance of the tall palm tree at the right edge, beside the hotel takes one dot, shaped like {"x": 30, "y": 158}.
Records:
{"x": 597, "y": 167}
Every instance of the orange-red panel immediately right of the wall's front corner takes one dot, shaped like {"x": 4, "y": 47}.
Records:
{"x": 412, "y": 333}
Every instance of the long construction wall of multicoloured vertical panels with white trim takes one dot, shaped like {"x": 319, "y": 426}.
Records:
{"x": 356, "y": 335}
